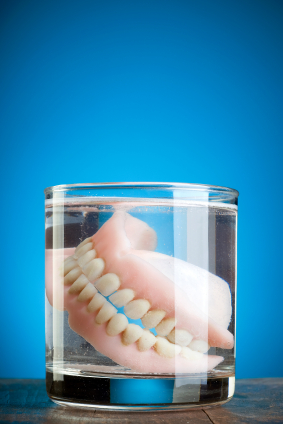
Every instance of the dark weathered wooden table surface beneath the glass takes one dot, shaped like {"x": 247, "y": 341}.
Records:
{"x": 255, "y": 401}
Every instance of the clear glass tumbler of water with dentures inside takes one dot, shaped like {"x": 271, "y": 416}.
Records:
{"x": 140, "y": 295}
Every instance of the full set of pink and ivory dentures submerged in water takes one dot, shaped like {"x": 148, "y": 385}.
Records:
{"x": 188, "y": 307}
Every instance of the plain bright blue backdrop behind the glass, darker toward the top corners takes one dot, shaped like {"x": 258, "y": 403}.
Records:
{"x": 185, "y": 91}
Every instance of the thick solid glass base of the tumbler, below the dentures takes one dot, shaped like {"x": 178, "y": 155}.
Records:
{"x": 138, "y": 394}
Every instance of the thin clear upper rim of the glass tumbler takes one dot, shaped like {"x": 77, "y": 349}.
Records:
{"x": 143, "y": 185}
